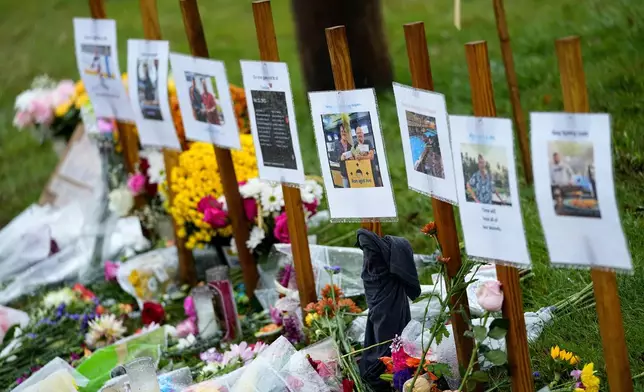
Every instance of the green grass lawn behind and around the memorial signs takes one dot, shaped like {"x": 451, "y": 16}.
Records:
{"x": 38, "y": 39}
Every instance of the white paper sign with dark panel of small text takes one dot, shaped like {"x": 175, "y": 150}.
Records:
{"x": 272, "y": 120}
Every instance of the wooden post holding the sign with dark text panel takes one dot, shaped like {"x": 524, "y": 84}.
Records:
{"x": 292, "y": 197}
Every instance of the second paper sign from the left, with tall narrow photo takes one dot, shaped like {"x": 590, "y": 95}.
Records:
{"x": 148, "y": 88}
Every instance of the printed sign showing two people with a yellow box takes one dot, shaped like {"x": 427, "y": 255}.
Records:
{"x": 354, "y": 165}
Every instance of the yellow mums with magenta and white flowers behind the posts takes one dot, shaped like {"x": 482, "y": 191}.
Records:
{"x": 199, "y": 206}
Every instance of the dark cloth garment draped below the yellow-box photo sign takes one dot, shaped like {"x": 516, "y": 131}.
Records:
{"x": 390, "y": 278}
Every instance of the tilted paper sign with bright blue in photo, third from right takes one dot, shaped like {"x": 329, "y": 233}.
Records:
{"x": 425, "y": 135}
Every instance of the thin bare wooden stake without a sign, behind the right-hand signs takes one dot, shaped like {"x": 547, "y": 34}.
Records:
{"x": 513, "y": 88}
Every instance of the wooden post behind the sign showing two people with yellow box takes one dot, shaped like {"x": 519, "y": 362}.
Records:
{"x": 336, "y": 38}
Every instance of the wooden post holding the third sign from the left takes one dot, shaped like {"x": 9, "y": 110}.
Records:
{"x": 199, "y": 48}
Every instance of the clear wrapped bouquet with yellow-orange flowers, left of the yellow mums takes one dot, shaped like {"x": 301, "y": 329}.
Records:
{"x": 148, "y": 276}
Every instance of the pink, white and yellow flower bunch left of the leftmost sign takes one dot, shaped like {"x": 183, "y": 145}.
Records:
{"x": 50, "y": 108}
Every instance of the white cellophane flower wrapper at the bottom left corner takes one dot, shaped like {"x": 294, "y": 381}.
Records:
{"x": 56, "y": 375}
